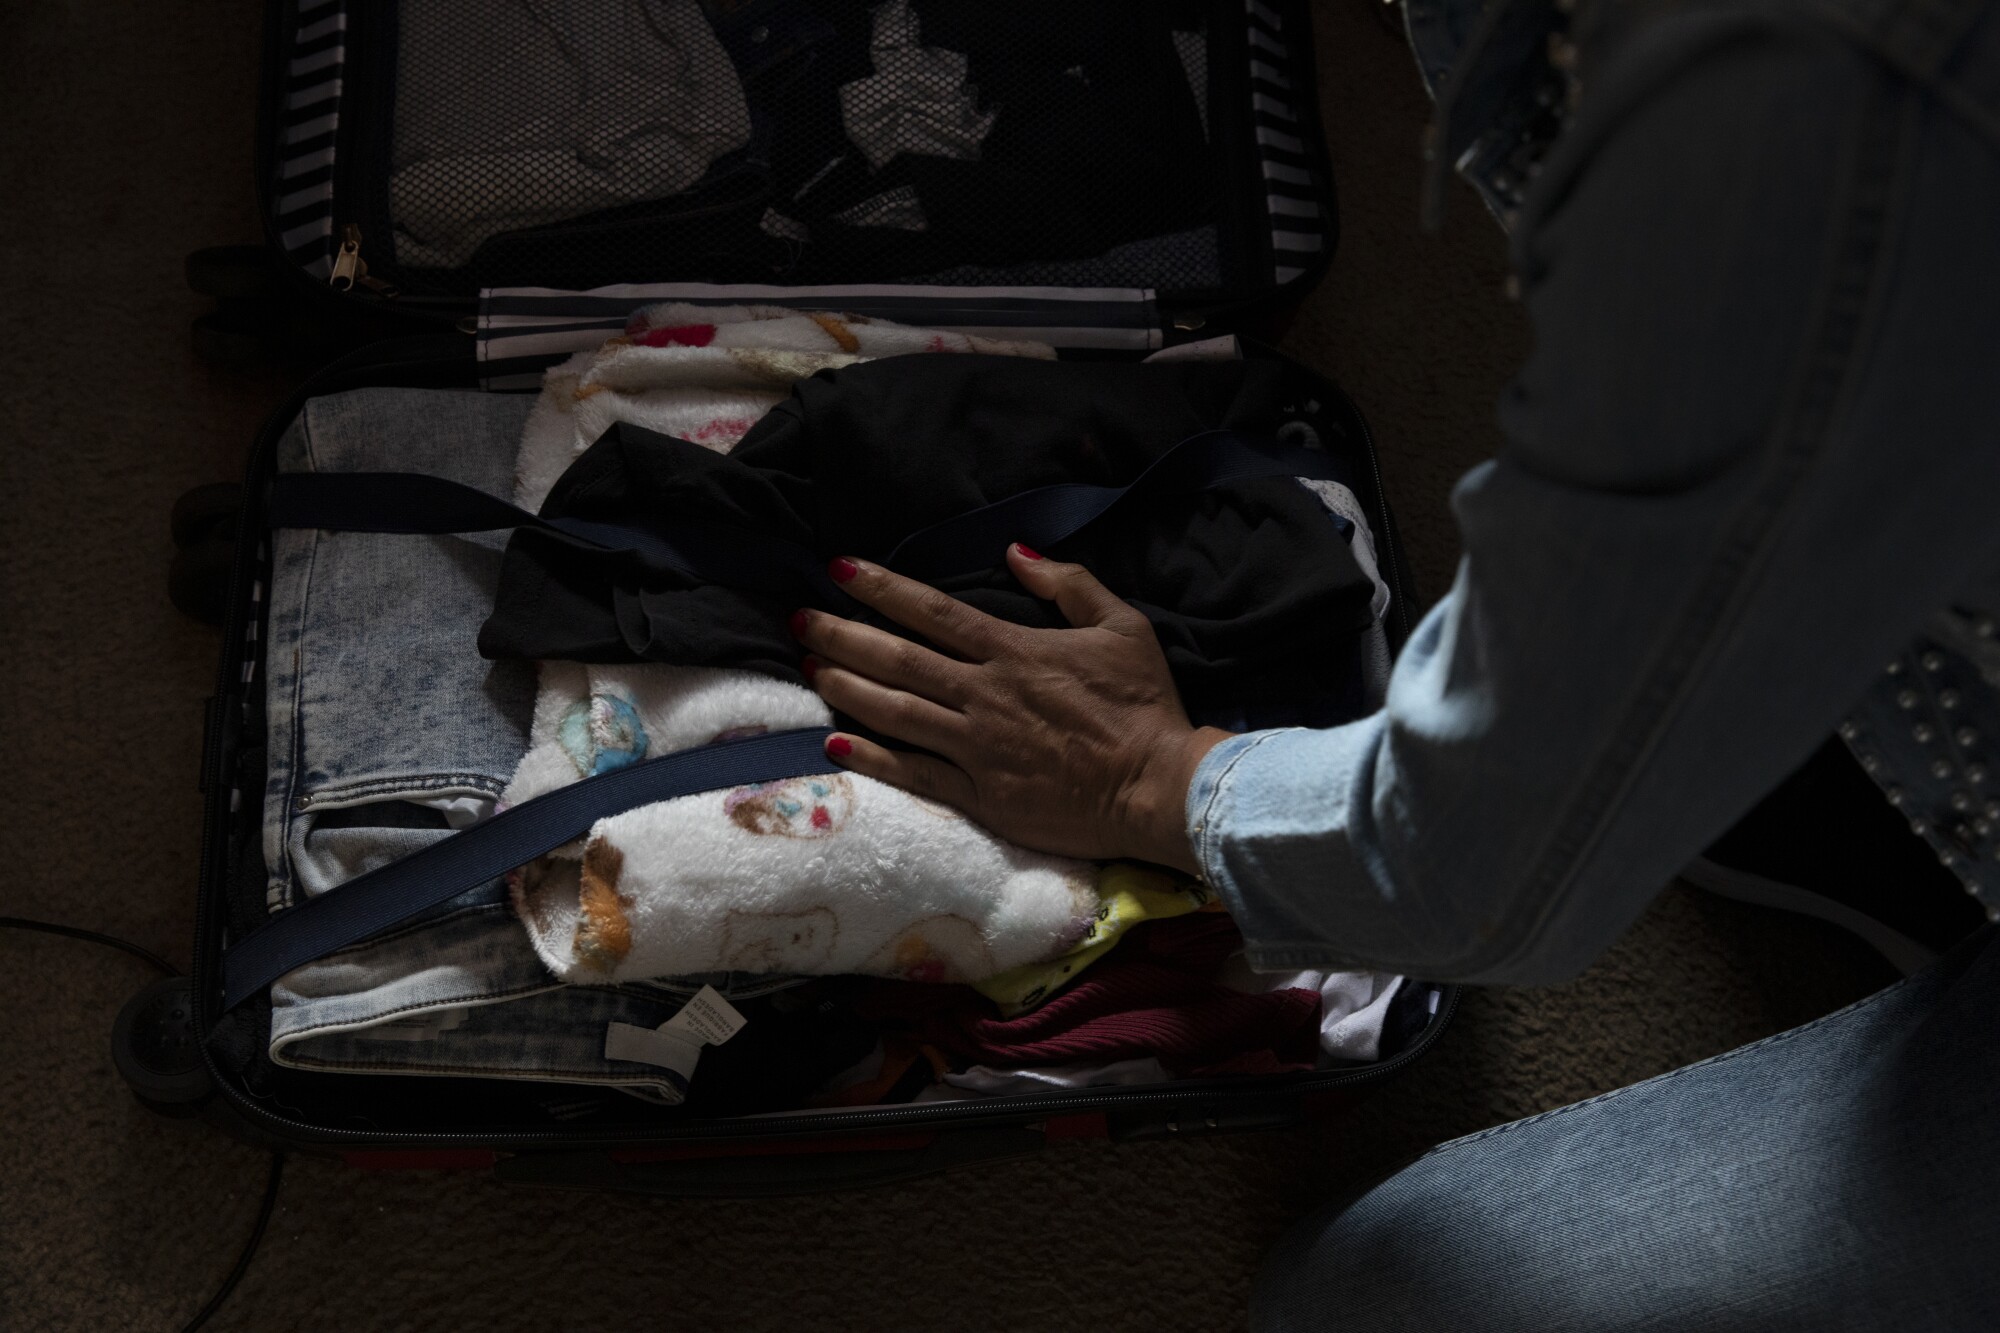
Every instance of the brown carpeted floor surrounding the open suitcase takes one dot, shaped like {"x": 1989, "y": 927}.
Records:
{"x": 125, "y": 143}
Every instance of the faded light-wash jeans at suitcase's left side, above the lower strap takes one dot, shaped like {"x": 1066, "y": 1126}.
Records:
{"x": 375, "y": 688}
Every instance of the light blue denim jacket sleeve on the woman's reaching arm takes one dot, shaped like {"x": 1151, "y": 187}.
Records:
{"x": 1749, "y": 453}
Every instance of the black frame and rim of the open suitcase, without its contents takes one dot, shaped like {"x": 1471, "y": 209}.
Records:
{"x": 617, "y": 1142}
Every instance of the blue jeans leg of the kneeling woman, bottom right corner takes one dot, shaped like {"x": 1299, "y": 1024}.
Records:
{"x": 1839, "y": 1176}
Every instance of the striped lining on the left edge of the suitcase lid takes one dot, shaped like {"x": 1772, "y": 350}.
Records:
{"x": 311, "y": 115}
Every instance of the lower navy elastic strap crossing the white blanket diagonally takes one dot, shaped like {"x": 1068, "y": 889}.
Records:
{"x": 439, "y": 874}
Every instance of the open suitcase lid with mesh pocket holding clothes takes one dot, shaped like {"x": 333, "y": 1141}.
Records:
{"x": 431, "y": 149}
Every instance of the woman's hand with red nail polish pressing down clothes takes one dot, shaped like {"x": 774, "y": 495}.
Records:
{"x": 1067, "y": 742}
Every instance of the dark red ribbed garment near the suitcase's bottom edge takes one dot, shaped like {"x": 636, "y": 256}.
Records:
{"x": 1155, "y": 994}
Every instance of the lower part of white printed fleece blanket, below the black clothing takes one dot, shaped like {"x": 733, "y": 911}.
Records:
{"x": 831, "y": 874}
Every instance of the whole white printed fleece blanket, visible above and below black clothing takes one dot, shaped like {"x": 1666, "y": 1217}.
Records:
{"x": 831, "y": 874}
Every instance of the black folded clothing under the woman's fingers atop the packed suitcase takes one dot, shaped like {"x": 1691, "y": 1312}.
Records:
{"x": 1251, "y": 585}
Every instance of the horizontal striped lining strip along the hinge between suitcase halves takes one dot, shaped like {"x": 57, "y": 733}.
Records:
{"x": 525, "y": 329}
